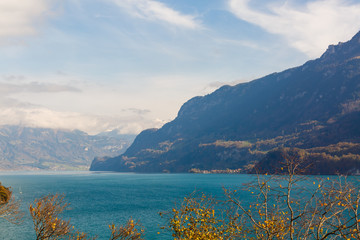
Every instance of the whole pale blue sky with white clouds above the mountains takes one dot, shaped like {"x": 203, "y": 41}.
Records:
{"x": 129, "y": 65}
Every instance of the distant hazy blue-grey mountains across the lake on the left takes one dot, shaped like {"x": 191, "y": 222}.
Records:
{"x": 23, "y": 148}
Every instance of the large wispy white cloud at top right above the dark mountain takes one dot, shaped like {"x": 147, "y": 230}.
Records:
{"x": 309, "y": 28}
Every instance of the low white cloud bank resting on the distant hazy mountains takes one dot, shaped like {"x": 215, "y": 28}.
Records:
{"x": 35, "y": 116}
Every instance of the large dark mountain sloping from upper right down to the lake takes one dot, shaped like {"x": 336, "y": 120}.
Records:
{"x": 313, "y": 105}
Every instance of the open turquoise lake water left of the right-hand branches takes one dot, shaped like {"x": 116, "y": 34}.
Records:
{"x": 99, "y": 199}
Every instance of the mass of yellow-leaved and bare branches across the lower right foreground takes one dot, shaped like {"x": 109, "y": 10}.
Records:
{"x": 284, "y": 206}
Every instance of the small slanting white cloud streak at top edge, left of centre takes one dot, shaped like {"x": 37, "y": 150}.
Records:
{"x": 157, "y": 11}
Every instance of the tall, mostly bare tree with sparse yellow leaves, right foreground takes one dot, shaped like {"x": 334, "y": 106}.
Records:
{"x": 289, "y": 206}
